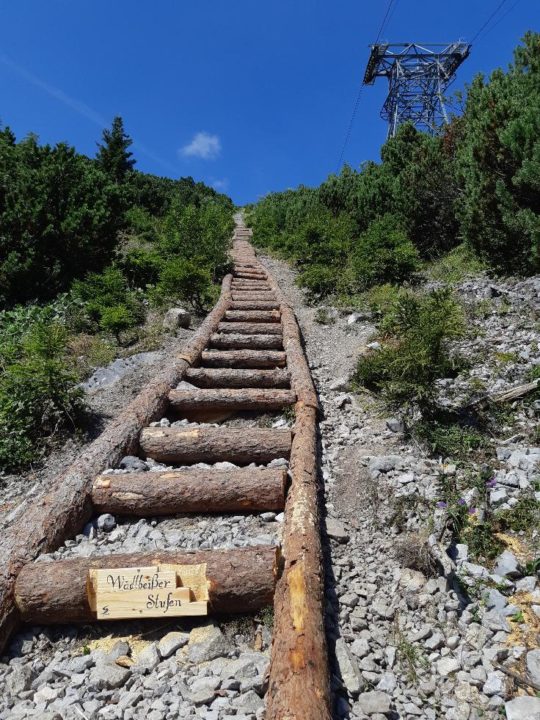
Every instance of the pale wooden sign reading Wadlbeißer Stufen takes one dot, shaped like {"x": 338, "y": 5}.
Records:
{"x": 154, "y": 591}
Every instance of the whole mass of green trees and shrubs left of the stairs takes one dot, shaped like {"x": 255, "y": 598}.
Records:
{"x": 85, "y": 246}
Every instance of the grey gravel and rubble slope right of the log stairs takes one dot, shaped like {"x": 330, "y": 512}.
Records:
{"x": 405, "y": 644}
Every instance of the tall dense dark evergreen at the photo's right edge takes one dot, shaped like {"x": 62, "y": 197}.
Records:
{"x": 499, "y": 163}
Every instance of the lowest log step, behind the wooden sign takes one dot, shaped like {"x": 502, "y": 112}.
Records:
{"x": 240, "y": 581}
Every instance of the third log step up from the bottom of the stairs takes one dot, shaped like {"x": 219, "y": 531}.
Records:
{"x": 215, "y": 444}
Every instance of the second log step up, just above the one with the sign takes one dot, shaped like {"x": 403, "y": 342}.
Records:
{"x": 190, "y": 491}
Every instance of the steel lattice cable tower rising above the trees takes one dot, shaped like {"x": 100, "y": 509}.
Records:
{"x": 418, "y": 77}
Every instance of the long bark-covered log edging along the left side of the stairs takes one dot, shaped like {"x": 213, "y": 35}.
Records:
{"x": 63, "y": 509}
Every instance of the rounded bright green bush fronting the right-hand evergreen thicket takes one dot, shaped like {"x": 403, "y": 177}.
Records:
{"x": 383, "y": 254}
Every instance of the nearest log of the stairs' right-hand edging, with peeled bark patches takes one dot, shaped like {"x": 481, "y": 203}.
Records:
{"x": 299, "y": 685}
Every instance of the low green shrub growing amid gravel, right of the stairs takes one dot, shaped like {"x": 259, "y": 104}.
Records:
{"x": 416, "y": 352}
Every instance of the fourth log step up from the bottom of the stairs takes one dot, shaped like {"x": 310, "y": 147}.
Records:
{"x": 236, "y": 399}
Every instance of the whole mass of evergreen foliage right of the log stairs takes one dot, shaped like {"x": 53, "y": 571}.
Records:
{"x": 477, "y": 181}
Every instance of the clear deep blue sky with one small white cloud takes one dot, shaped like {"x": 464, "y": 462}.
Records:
{"x": 246, "y": 95}
